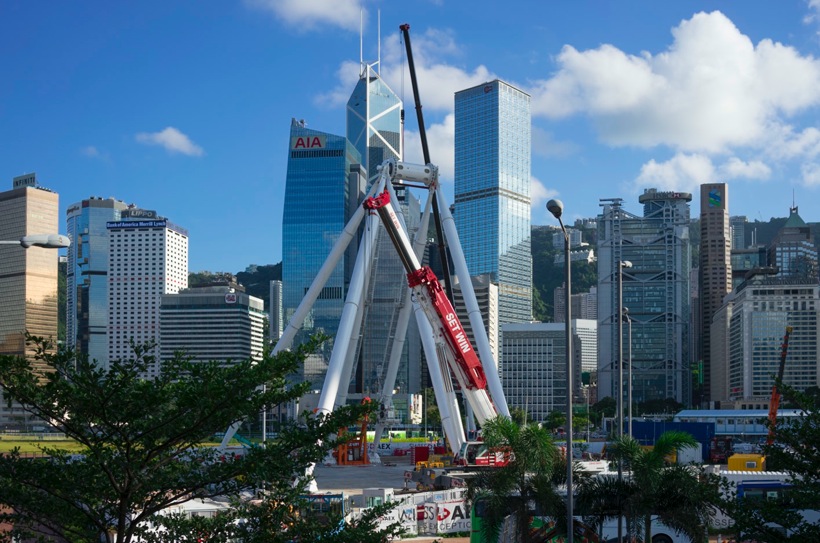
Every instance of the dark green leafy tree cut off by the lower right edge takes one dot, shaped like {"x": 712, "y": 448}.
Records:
{"x": 796, "y": 449}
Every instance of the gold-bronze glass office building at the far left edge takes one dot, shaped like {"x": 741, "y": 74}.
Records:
{"x": 28, "y": 277}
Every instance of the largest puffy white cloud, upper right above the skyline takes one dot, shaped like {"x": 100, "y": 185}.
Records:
{"x": 711, "y": 90}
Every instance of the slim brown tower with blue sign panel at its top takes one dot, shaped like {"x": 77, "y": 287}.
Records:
{"x": 715, "y": 267}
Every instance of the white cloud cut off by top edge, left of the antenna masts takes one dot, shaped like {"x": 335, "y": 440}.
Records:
{"x": 309, "y": 14}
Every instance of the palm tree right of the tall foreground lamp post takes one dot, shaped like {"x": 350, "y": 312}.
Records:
{"x": 650, "y": 488}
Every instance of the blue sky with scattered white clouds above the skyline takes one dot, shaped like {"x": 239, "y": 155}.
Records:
{"x": 184, "y": 106}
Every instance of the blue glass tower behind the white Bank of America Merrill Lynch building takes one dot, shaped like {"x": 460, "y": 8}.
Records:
{"x": 87, "y": 275}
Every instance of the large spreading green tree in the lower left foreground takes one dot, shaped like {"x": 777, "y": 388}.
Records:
{"x": 142, "y": 444}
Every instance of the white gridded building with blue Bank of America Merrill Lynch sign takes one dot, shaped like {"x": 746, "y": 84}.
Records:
{"x": 147, "y": 257}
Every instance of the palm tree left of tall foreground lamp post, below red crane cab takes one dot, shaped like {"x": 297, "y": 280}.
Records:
{"x": 523, "y": 487}
